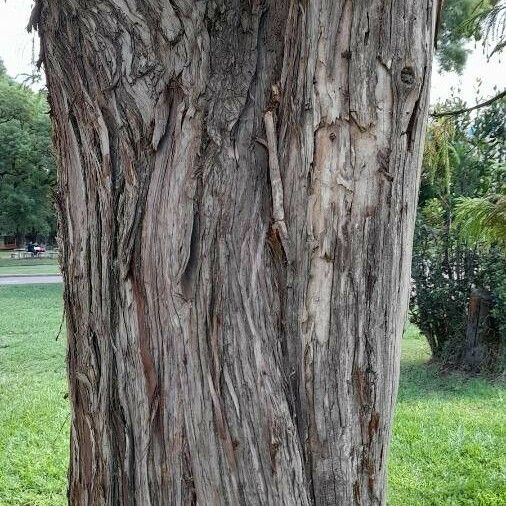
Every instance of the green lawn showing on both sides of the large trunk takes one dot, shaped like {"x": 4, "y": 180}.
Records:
{"x": 449, "y": 434}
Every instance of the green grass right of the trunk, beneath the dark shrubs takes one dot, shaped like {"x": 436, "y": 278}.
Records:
{"x": 449, "y": 437}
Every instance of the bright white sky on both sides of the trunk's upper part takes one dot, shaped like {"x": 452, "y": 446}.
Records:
{"x": 18, "y": 49}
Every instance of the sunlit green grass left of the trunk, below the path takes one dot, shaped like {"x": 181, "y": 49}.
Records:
{"x": 33, "y": 411}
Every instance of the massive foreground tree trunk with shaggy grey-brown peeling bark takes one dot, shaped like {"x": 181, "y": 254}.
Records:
{"x": 237, "y": 191}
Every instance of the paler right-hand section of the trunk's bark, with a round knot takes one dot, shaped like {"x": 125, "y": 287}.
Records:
{"x": 351, "y": 112}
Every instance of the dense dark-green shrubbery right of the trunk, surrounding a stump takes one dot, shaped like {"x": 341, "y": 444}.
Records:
{"x": 458, "y": 239}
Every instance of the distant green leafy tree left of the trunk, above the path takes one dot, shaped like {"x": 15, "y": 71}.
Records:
{"x": 27, "y": 170}
